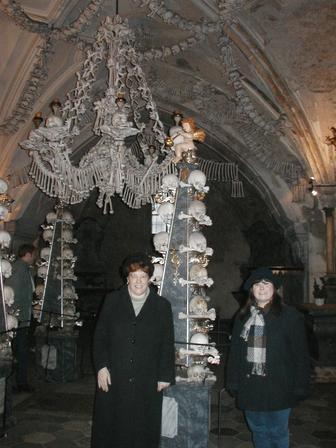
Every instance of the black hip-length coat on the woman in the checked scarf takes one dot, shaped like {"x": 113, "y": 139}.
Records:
{"x": 287, "y": 364}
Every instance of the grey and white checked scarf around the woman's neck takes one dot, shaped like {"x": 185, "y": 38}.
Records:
{"x": 254, "y": 334}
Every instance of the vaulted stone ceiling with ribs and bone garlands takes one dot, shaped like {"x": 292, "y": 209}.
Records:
{"x": 257, "y": 75}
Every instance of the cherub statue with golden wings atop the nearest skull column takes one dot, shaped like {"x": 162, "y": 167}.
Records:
{"x": 184, "y": 140}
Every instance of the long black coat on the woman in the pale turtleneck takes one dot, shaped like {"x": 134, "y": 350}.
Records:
{"x": 139, "y": 352}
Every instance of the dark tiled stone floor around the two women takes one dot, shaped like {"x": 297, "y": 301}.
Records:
{"x": 59, "y": 416}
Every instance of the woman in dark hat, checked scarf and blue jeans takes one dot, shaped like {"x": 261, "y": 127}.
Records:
{"x": 268, "y": 368}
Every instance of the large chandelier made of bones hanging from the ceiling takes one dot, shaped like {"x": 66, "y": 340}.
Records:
{"x": 133, "y": 171}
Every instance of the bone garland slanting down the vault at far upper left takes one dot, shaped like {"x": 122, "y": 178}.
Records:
{"x": 30, "y": 92}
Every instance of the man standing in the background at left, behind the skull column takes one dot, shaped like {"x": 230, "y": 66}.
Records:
{"x": 23, "y": 285}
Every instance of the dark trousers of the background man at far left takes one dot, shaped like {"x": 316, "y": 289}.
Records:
{"x": 21, "y": 349}
